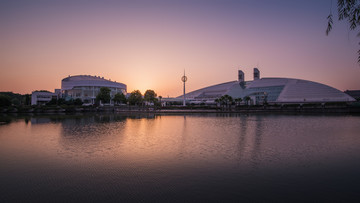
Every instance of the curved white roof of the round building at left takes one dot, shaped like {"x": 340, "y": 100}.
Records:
{"x": 87, "y": 80}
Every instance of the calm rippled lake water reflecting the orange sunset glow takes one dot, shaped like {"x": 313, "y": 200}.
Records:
{"x": 217, "y": 157}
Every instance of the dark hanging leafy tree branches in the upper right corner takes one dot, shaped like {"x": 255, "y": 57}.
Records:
{"x": 347, "y": 10}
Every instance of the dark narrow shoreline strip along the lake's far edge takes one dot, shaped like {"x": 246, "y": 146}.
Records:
{"x": 136, "y": 110}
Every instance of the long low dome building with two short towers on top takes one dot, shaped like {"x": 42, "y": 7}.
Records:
{"x": 272, "y": 90}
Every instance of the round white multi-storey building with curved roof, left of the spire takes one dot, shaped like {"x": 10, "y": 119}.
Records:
{"x": 86, "y": 87}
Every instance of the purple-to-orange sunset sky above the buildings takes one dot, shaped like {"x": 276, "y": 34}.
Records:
{"x": 149, "y": 44}
